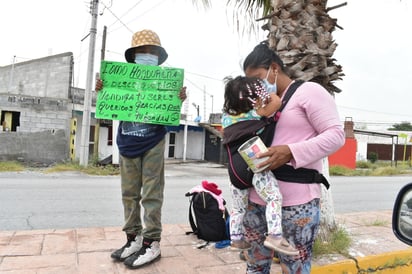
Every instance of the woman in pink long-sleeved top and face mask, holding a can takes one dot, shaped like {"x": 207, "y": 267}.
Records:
{"x": 308, "y": 130}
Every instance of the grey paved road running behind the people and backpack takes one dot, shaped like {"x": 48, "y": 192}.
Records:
{"x": 32, "y": 200}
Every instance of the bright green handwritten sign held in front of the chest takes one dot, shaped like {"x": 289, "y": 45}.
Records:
{"x": 139, "y": 93}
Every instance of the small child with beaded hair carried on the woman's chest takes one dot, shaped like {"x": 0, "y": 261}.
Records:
{"x": 247, "y": 99}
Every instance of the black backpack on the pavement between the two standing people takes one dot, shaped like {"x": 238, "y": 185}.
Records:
{"x": 207, "y": 220}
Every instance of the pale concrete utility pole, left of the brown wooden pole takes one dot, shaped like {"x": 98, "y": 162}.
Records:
{"x": 85, "y": 136}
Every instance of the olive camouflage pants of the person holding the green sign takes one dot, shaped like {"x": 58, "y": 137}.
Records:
{"x": 142, "y": 184}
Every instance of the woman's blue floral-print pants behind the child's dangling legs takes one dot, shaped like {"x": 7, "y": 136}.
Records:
{"x": 300, "y": 226}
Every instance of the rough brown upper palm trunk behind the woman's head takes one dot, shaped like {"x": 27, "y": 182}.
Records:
{"x": 301, "y": 33}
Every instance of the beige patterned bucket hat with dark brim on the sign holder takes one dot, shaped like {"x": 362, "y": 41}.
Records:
{"x": 145, "y": 38}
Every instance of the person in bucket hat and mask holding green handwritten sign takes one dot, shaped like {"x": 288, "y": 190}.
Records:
{"x": 144, "y": 98}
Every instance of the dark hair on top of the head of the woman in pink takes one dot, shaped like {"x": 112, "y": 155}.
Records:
{"x": 262, "y": 57}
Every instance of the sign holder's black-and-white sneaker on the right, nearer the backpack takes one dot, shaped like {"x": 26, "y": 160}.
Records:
{"x": 146, "y": 255}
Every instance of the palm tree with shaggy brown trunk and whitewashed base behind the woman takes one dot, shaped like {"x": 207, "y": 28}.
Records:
{"x": 301, "y": 33}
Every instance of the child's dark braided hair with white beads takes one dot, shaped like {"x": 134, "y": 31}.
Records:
{"x": 241, "y": 94}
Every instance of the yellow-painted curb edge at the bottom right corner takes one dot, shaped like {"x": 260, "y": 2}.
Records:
{"x": 397, "y": 262}
